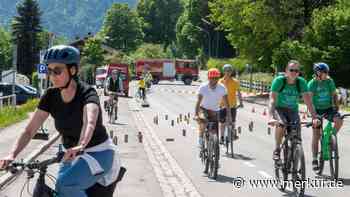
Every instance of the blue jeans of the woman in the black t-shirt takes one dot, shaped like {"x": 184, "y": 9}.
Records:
{"x": 73, "y": 180}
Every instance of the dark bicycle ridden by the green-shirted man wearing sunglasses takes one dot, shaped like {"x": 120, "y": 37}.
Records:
{"x": 292, "y": 159}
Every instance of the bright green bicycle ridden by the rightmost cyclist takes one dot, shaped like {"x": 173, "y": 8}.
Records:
{"x": 329, "y": 148}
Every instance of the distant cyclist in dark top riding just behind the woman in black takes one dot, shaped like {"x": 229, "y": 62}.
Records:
{"x": 114, "y": 86}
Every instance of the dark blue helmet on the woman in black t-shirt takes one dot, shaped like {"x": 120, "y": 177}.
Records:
{"x": 62, "y": 54}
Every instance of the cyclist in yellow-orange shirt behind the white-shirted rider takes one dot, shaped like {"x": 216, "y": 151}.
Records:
{"x": 232, "y": 87}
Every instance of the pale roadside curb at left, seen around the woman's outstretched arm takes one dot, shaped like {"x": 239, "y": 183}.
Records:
{"x": 6, "y": 178}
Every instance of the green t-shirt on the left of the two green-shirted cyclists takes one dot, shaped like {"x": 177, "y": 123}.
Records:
{"x": 289, "y": 97}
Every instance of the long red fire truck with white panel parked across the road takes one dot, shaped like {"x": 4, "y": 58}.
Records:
{"x": 168, "y": 69}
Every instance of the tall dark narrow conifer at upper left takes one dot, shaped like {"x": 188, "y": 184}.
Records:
{"x": 26, "y": 28}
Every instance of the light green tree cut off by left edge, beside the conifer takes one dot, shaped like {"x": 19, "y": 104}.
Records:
{"x": 5, "y": 50}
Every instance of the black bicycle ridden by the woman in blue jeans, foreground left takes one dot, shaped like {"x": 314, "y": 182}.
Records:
{"x": 41, "y": 189}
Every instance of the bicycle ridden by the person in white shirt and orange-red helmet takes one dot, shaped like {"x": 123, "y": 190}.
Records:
{"x": 210, "y": 150}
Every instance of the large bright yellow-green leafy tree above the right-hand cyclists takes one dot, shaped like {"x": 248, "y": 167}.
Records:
{"x": 258, "y": 28}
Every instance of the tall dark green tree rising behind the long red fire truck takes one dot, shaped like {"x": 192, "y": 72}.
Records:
{"x": 159, "y": 15}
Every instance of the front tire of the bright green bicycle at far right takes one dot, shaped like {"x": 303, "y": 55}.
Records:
{"x": 334, "y": 159}
